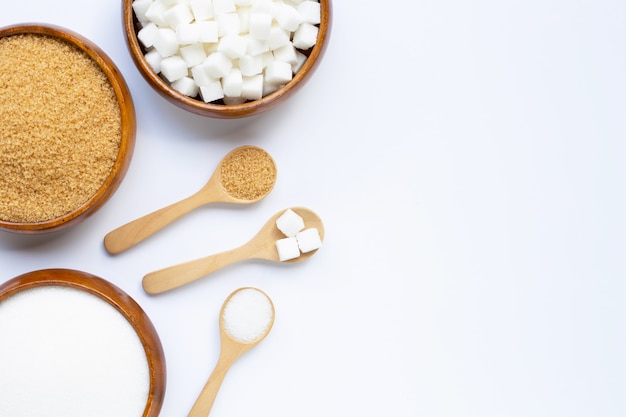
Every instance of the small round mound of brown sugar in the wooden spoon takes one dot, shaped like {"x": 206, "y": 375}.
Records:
{"x": 248, "y": 173}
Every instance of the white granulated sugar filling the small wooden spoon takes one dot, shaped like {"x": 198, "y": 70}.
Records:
{"x": 248, "y": 315}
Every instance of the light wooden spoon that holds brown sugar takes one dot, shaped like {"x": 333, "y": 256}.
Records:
{"x": 217, "y": 189}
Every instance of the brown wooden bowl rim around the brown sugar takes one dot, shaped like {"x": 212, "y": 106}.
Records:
{"x": 128, "y": 130}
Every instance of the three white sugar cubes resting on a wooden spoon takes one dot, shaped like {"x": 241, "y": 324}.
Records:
{"x": 298, "y": 239}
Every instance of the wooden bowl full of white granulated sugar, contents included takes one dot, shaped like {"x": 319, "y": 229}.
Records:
{"x": 75, "y": 345}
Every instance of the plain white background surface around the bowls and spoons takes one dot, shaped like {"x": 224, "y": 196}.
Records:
{"x": 467, "y": 157}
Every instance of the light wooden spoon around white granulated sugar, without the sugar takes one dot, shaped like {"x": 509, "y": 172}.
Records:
{"x": 231, "y": 349}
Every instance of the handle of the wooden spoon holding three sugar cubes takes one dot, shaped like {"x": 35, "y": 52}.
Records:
{"x": 178, "y": 275}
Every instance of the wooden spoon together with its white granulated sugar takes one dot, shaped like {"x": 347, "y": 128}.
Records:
{"x": 246, "y": 317}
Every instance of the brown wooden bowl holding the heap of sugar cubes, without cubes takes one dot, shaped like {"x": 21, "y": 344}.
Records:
{"x": 218, "y": 110}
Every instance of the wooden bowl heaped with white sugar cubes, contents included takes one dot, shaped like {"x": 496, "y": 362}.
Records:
{"x": 227, "y": 58}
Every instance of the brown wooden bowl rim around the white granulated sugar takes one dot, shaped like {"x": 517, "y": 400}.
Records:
{"x": 121, "y": 302}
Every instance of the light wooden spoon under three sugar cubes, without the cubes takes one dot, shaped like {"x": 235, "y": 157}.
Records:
{"x": 261, "y": 246}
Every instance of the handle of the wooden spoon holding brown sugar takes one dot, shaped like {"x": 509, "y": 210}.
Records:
{"x": 131, "y": 233}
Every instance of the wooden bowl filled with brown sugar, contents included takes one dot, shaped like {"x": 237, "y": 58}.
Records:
{"x": 67, "y": 128}
